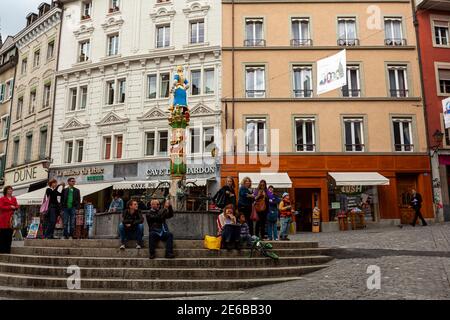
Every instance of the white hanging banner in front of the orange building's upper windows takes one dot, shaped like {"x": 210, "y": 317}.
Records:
{"x": 331, "y": 72}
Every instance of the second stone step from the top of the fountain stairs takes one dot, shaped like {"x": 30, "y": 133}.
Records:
{"x": 143, "y": 253}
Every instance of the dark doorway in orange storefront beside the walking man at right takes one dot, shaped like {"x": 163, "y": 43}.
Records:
{"x": 404, "y": 185}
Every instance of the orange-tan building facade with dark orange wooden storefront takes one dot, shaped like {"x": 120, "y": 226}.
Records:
{"x": 372, "y": 127}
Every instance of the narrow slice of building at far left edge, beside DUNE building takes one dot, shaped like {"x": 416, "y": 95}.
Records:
{"x": 8, "y": 61}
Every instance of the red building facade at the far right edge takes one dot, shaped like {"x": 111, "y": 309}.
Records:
{"x": 433, "y": 19}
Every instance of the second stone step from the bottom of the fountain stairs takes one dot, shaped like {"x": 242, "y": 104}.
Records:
{"x": 15, "y": 280}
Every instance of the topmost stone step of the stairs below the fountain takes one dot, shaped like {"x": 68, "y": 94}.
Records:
{"x": 179, "y": 244}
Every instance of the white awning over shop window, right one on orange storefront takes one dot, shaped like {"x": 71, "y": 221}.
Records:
{"x": 359, "y": 179}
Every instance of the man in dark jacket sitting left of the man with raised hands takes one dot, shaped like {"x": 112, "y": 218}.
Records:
{"x": 132, "y": 226}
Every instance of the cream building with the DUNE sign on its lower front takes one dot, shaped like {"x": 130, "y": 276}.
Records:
{"x": 32, "y": 106}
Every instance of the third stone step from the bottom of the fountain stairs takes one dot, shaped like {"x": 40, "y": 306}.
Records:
{"x": 162, "y": 273}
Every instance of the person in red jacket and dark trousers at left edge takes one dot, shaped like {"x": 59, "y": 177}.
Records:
{"x": 8, "y": 204}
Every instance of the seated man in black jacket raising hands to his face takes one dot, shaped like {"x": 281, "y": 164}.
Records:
{"x": 158, "y": 230}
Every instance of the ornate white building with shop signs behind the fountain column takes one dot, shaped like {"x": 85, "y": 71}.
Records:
{"x": 116, "y": 67}
